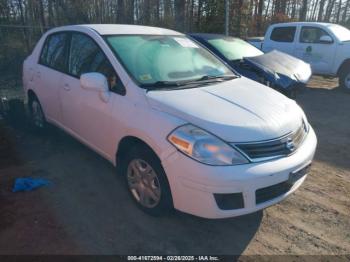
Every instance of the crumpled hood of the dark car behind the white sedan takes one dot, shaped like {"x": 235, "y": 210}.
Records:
{"x": 286, "y": 69}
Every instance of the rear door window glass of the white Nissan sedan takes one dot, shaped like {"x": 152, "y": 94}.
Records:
{"x": 54, "y": 51}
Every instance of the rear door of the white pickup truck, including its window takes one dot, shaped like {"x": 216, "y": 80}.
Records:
{"x": 281, "y": 38}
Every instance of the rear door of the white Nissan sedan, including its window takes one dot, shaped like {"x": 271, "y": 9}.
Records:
{"x": 49, "y": 72}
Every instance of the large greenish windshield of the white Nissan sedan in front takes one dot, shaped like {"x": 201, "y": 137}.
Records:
{"x": 154, "y": 59}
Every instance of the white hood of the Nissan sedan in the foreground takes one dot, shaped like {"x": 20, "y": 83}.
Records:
{"x": 240, "y": 110}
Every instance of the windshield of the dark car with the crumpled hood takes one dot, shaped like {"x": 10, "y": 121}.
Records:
{"x": 234, "y": 48}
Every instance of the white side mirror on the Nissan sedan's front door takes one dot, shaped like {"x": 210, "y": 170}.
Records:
{"x": 95, "y": 82}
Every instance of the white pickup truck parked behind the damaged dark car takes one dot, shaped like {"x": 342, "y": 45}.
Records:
{"x": 325, "y": 46}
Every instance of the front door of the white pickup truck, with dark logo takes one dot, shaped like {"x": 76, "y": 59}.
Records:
{"x": 320, "y": 55}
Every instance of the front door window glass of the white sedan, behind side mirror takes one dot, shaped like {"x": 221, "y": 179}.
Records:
{"x": 86, "y": 57}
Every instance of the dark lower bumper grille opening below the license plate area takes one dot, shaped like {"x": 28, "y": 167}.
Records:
{"x": 268, "y": 193}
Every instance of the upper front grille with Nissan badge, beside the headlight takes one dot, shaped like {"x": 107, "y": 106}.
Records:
{"x": 283, "y": 146}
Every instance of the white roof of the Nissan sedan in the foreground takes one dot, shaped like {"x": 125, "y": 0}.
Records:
{"x": 120, "y": 29}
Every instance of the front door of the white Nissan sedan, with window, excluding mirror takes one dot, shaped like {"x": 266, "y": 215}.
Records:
{"x": 85, "y": 114}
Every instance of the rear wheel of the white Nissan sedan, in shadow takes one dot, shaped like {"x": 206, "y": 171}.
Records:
{"x": 36, "y": 115}
